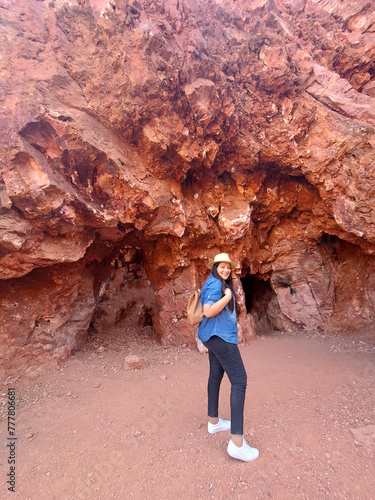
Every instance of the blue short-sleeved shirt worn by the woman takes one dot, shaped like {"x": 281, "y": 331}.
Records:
{"x": 224, "y": 324}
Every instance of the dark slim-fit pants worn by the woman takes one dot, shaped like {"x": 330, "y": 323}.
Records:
{"x": 226, "y": 357}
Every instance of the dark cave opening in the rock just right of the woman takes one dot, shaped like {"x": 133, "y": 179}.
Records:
{"x": 258, "y": 294}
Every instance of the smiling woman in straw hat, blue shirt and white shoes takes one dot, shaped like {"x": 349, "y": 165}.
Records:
{"x": 218, "y": 332}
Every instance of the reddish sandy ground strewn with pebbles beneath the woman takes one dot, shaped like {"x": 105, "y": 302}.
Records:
{"x": 93, "y": 430}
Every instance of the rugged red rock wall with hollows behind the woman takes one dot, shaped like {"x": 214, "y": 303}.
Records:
{"x": 139, "y": 138}
